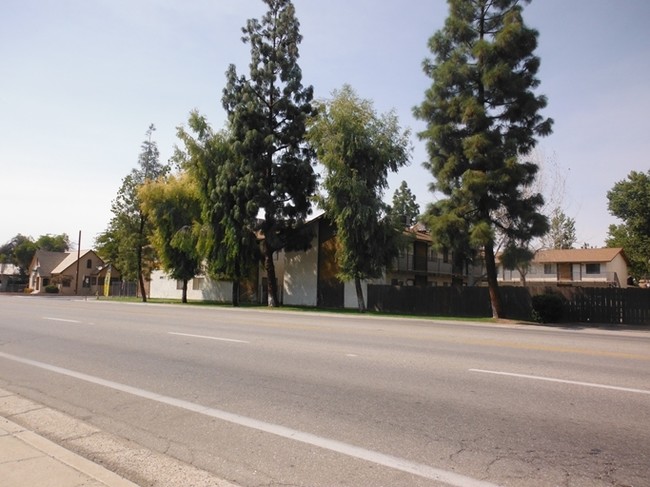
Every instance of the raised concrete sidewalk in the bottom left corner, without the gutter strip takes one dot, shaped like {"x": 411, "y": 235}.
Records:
{"x": 27, "y": 459}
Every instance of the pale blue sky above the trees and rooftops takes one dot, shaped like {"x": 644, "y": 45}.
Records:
{"x": 81, "y": 80}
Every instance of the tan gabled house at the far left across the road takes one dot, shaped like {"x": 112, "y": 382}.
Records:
{"x": 83, "y": 275}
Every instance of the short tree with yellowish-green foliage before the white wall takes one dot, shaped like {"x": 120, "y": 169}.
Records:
{"x": 173, "y": 208}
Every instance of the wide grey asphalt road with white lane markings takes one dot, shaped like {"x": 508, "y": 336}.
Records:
{"x": 266, "y": 397}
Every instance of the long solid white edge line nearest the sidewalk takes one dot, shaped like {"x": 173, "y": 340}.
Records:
{"x": 419, "y": 469}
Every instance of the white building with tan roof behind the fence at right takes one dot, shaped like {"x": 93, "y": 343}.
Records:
{"x": 603, "y": 267}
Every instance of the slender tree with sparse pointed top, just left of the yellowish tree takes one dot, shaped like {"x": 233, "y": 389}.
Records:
{"x": 126, "y": 242}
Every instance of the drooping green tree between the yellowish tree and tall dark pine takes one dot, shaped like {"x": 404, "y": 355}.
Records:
{"x": 226, "y": 236}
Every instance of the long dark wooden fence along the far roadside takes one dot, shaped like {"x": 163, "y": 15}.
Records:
{"x": 612, "y": 306}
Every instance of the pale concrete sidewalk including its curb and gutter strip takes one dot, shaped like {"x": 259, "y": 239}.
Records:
{"x": 28, "y": 459}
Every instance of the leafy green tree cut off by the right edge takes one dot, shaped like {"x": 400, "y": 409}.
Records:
{"x": 629, "y": 200}
